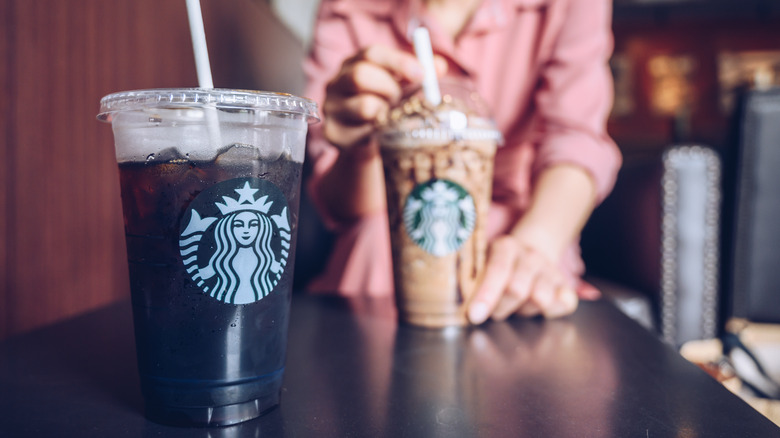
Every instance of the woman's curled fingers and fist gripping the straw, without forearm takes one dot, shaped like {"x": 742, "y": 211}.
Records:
{"x": 367, "y": 85}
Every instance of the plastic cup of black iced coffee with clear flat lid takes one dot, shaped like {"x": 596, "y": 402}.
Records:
{"x": 210, "y": 183}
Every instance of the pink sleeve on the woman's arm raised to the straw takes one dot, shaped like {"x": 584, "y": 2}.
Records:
{"x": 331, "y": 44}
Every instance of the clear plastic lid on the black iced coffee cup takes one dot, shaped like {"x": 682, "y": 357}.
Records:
{"x": 212, "y": 97}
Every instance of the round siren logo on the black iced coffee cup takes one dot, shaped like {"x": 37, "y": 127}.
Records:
{"x": 236, "y": 242}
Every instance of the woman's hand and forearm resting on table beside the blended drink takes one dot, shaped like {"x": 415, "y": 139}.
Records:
{"x": 523, "y": 273}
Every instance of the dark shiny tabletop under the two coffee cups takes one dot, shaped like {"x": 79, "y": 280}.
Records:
{"x": 353, "y": 371}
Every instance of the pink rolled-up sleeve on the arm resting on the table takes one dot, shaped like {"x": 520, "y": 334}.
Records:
{"x": 575, "y": 96}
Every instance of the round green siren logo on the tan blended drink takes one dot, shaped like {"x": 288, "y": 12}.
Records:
{"x": 439, "y": 216}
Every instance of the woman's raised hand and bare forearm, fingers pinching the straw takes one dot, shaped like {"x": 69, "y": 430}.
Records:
{"x": 365, "y": 88}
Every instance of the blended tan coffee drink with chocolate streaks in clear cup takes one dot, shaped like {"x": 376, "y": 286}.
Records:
{"x": 438, "y": 164}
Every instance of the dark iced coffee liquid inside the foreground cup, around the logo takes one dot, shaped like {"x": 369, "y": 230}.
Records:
{"x": 193, "y": 350}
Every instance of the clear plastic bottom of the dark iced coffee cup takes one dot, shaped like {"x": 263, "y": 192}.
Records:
{"x": 211, "y": 416}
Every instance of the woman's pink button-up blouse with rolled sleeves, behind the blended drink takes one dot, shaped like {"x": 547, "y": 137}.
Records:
{"x": 540, "y": 65}
